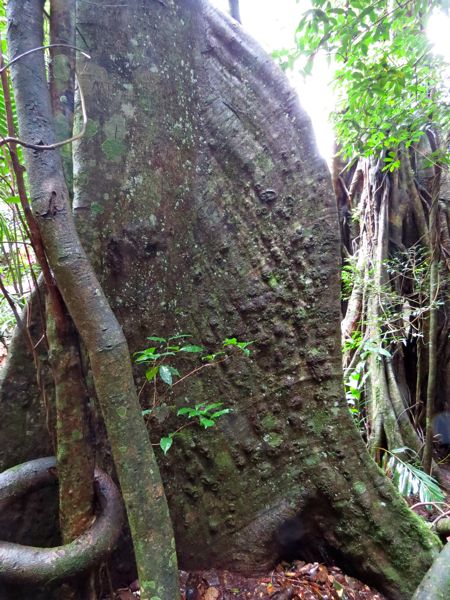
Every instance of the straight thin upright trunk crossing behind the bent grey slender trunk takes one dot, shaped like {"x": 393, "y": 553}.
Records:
{"x": 75, "y": 451}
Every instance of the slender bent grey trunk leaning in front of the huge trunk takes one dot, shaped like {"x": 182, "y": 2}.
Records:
{"x": 108, "y": 351}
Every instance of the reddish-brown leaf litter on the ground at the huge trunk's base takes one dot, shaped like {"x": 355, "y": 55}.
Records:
{"x": 294, "y": 581}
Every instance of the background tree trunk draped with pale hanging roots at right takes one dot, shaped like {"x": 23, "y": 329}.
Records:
{"x": 396, "y": 320}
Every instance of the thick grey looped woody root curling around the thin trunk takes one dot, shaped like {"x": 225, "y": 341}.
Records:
{"x": 31, "y": 565}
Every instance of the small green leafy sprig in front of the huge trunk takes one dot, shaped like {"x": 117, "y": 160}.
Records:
{"x": 156, "y": 358}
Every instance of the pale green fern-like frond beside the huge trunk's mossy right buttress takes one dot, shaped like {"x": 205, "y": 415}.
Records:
{"x": 409, "y": 478}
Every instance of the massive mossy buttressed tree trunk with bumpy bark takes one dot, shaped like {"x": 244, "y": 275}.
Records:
{"x": 206, "y": 209}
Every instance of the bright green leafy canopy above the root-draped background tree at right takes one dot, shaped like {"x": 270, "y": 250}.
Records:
{"x": 390, "y": 86}
